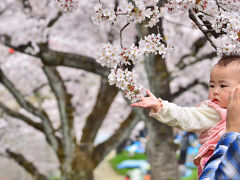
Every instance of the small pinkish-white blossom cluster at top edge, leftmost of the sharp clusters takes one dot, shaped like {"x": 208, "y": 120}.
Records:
{"x": 67, "y": 5}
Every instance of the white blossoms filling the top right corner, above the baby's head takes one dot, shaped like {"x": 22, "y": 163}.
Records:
{"x": 224, "y": 16}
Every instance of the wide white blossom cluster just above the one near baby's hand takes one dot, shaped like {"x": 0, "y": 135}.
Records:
{"x": 112, "y": 56}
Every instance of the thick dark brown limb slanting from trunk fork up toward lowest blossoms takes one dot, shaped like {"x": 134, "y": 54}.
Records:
{"x": 106, "y": 96}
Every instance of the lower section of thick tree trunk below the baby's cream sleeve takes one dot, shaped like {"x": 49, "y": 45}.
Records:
{"x": 161, "y": 152}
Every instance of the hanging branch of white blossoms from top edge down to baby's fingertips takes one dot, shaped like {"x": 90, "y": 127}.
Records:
{"x": 121, "y": 59}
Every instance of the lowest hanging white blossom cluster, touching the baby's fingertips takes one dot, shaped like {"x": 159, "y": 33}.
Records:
{"x": 126, "y": 80}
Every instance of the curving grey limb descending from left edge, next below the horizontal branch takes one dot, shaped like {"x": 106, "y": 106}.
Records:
{"x": 48, "y": 128}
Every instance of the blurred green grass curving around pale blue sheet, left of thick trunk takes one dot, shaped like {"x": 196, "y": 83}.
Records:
{"x": 125, "y": 156}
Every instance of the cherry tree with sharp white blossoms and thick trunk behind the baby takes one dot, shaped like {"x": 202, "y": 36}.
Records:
{"x": 219, "y": 19}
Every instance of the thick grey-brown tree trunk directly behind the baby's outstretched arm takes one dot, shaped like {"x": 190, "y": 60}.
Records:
{"x": 160, "y": 149}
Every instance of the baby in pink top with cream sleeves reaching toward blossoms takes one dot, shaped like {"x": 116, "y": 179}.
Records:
{"x": 209, "y": 118}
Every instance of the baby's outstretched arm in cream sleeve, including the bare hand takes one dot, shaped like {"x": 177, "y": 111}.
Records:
{"x": 192, "y": 119}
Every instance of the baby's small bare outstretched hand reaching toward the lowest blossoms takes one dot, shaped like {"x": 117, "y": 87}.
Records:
{"x": 149, "y": 102}
